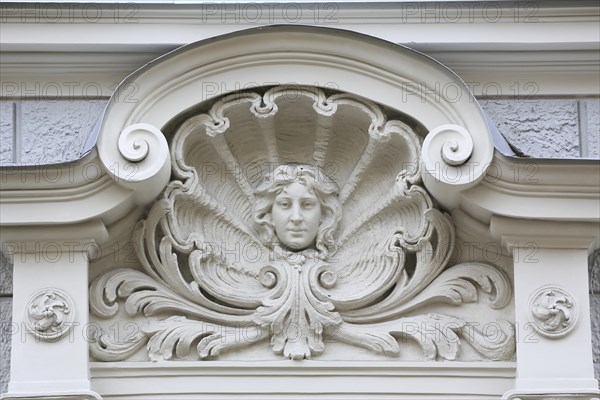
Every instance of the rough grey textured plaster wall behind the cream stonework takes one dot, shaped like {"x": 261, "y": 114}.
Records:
{"x": 51, "y": 132}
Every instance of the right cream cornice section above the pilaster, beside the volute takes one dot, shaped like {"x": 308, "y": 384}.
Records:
{"x": 567, "y": 190}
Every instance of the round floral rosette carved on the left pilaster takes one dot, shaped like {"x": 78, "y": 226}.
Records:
{"x": 49, "y": 314}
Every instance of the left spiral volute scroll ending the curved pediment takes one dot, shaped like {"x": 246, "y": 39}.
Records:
{"x": 142, "y": 162}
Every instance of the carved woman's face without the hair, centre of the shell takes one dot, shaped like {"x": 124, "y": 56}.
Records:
{"x": 296, "y": 215}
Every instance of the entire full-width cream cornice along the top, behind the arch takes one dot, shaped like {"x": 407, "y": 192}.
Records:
{"x": 552, "y": 45}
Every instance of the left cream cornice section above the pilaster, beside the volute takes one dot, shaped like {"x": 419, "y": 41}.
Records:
{"x": 54, "y": 195}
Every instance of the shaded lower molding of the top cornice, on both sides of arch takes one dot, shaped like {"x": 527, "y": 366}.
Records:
{"x": 39, "y": 75}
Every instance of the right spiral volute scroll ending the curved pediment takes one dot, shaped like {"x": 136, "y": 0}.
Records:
{"x": 450, "y": 164}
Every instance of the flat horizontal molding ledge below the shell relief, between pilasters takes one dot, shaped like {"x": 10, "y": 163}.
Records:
{"x": 308, "y": 379}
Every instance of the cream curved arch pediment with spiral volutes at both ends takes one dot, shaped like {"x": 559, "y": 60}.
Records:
{"x": 456, "y": 152}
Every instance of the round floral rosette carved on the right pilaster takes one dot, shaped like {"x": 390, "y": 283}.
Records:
{"x": 552, "y": 311}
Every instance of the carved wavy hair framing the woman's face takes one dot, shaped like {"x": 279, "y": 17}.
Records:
{"x": 317, "y": 183}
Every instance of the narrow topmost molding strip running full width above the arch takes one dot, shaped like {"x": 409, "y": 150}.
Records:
{"x": 325, "y": 12}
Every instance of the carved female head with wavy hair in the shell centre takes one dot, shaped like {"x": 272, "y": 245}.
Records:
{"x": 298, "y": 205}
